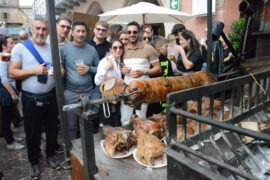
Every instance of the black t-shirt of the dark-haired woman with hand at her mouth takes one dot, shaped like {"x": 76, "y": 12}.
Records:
{"x": 194, "y": 57}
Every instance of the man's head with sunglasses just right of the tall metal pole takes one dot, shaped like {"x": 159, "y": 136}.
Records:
{"x": 63, "y": 26}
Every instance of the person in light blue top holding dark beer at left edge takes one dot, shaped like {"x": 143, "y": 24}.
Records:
{"x": 9, "y": 107}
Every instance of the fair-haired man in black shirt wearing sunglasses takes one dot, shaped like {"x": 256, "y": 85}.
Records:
{"x": 98, "y": 41}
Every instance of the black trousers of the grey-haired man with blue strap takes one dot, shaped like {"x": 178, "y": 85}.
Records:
{"x": 36, "y": 117}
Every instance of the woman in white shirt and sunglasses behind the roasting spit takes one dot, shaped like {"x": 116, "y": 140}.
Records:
{"x": 110, "y": 66}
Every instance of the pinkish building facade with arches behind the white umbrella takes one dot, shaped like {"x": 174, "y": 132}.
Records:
{"x": 223, "y": 10}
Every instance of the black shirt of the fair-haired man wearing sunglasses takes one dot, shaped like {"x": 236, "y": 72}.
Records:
{"x": 101, "y": 48}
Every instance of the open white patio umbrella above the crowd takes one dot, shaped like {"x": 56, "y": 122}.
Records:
{"x": 144, "y": 13}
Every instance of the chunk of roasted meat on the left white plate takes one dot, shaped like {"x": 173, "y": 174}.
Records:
{"x": 118, "y": 141}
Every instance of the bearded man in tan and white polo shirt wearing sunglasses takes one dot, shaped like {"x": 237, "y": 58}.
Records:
{"x": 140, "y": 61}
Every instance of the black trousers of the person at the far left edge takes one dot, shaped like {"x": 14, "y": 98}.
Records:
{"x": 8, "y": 114}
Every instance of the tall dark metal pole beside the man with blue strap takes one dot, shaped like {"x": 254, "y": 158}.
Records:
{"x": 57, "y": 75}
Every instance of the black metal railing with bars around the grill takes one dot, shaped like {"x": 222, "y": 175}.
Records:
{"x": 244, "y": 98}
